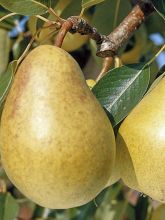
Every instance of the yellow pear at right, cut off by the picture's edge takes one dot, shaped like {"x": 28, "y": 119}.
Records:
{"x": 142, "y": 134}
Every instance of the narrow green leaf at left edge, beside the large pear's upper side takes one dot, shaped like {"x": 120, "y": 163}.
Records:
{"x": 6, "y": 80}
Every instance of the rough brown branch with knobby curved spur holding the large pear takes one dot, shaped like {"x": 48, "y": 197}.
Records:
{"x": 108, "y": 46}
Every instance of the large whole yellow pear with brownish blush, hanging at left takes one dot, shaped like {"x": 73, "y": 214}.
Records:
{"x": 57, "y": 144}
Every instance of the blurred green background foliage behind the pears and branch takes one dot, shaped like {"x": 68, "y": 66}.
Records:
{"x": 116, "y": 202}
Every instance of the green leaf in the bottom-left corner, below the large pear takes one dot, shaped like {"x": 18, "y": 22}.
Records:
{"x": 8, "y": 207}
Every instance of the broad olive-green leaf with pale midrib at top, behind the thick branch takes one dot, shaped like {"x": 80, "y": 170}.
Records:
{"x": 109, "y": 14}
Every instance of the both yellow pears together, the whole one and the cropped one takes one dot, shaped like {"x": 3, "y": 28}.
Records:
{"x": 57, "y": 144}
